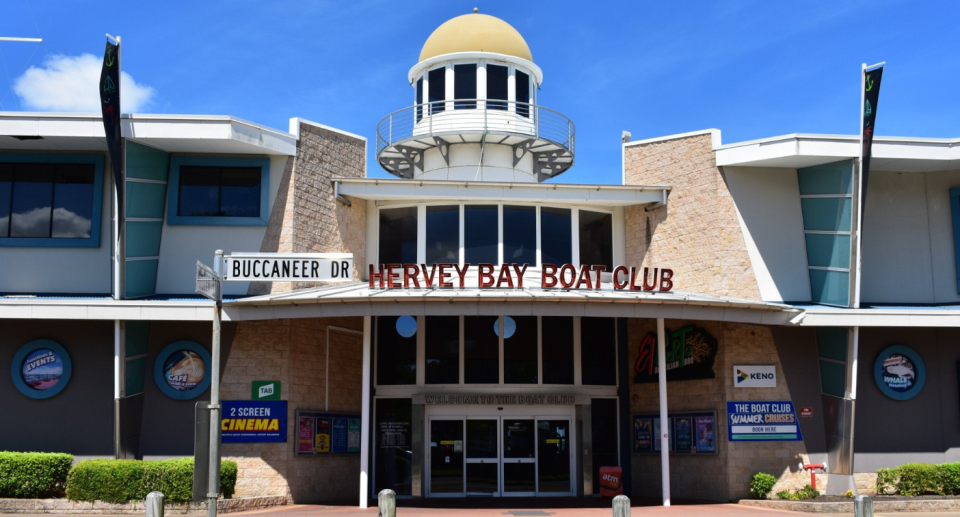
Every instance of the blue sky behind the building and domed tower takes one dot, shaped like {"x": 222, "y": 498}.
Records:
{"x": 751, "y": 69}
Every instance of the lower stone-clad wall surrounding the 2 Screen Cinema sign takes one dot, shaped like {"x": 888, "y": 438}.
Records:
{"x": 293, "y": 351}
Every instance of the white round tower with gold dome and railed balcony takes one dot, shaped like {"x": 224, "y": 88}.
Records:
{"x": 475, "y": 114}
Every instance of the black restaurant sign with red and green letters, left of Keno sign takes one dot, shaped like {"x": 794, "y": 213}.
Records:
{"x": 690, "y": 355}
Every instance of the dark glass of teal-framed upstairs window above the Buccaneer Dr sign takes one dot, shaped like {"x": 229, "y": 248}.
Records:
{"x": 219, "y": 191}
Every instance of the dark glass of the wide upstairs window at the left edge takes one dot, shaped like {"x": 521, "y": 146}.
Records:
{"x": 46, "y": 200}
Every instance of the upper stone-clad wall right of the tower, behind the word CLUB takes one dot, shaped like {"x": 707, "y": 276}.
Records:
{"x": 698, "y": 233}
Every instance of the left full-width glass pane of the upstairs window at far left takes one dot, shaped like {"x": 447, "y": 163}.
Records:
{"x": 32, "y": 204}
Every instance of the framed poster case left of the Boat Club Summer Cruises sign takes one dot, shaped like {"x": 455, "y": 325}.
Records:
{"x": 690, "y": 433}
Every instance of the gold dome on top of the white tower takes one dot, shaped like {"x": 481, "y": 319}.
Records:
{"x": 476, "y": 33}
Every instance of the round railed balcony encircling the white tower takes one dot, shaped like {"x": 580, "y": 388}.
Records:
{"x": 405, "y": 136}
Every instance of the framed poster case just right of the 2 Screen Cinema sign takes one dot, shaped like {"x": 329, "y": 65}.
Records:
{"x": 319, "y": 433}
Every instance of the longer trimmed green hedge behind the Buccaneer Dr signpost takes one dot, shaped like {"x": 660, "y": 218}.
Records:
{"x": 119, "y": 481}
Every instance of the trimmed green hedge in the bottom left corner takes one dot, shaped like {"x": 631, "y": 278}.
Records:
{"x": 33, "y": 475}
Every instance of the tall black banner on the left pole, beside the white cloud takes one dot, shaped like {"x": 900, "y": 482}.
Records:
{"x": 110, "y": 107}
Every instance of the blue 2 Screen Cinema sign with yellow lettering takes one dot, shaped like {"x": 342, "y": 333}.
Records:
{"x": 253, "y": 421}
